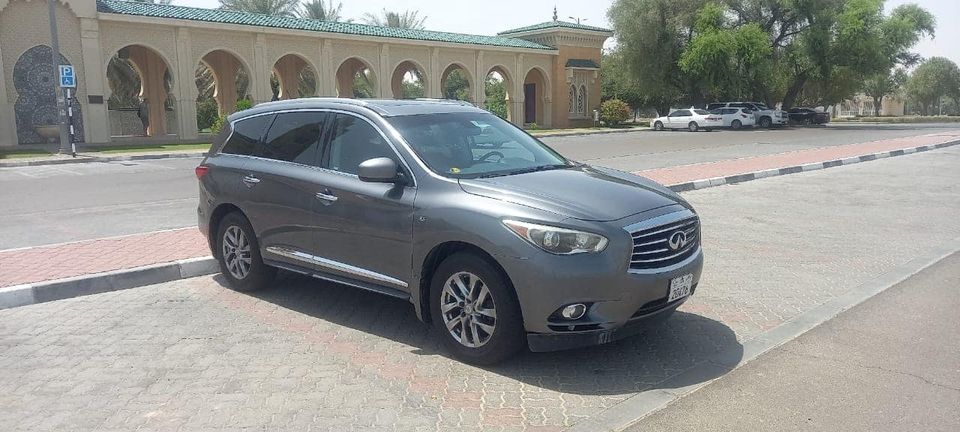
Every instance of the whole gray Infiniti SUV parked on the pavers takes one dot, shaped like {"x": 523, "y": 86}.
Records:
{"x": 495, "y": 238}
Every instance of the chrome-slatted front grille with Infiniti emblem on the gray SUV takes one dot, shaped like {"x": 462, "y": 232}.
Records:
{"x": 651, "y": 247}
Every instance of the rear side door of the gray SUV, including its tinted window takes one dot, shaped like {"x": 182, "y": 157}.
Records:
{"x": 280, "y": 186}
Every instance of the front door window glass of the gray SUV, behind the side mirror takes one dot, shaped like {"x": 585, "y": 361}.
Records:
{"x": 352, "y": 141}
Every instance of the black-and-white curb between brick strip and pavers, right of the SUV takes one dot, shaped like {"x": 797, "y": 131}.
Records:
{"x": 740, "y": 178}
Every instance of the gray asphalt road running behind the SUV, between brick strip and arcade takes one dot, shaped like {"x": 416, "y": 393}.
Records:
{"x": 60, "y": 203}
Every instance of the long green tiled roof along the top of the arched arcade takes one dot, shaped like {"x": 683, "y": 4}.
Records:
{"x": 252, "y": 19}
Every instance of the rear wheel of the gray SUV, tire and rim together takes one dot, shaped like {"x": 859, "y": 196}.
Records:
{"x": 236, "y": 239}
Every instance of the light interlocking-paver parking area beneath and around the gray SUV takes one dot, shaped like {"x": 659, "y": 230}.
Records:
{"x": 194, "y": 355}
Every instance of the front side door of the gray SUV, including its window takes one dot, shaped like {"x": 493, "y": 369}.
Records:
{"x": 365, "y": 229}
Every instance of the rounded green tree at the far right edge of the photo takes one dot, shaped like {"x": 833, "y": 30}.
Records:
{"x": 931, "y": 81}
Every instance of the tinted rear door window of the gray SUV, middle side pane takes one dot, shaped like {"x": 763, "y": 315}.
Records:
{"x": 294, "y": 137}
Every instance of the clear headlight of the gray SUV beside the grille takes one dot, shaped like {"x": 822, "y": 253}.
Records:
{"x": 556, "y": 240}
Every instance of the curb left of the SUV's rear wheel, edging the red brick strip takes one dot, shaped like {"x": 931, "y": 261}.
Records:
{"x": 40, "y": 292}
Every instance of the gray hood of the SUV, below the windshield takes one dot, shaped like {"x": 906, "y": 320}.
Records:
{"x": 582, "y": 192}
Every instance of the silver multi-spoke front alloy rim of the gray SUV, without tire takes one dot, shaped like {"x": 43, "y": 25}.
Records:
{"x": 468, "y": 309}
